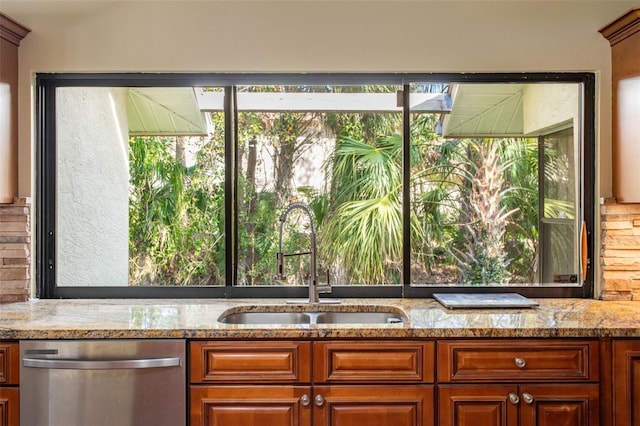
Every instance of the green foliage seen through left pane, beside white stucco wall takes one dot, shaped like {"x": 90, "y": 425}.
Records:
{"x": 176, "y": 230}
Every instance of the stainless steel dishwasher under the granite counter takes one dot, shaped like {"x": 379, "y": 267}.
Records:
{"x": 102, "y": 383}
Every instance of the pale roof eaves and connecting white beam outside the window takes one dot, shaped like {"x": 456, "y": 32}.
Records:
{"x": 473, "y": 110}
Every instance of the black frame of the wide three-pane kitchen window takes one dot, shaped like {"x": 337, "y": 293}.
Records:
{"x": 47, "y": 83}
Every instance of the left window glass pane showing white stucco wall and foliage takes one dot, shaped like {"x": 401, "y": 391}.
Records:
{"x": 140, "y": 187}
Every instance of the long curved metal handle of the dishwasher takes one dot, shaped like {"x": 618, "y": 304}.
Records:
{"x": 78, "y": 364}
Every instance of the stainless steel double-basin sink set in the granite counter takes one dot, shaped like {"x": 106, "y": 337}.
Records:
{"x": 294, "y": 316}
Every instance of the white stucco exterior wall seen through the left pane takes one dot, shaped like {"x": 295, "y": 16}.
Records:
{"x": 93, "y": 187}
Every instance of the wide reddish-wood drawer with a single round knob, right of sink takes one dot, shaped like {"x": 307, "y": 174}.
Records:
{"x": 517, "y": 360}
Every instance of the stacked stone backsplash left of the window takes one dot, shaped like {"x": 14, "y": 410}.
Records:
{"x": 15, "y": 246}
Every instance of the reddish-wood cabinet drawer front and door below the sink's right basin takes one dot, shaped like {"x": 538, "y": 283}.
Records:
{"x": 373, "y": 383}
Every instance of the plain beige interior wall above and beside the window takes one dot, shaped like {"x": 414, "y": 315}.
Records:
{"x": 314, "y": 36}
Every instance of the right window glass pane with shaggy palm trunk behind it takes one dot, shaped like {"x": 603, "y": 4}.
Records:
{"x": 476, "y": 167}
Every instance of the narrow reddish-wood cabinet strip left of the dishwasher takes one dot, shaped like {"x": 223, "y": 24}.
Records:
{"x": 9, "y": 392}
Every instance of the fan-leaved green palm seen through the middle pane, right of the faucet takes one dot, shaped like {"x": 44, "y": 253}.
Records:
{"x": 363, "y": 233}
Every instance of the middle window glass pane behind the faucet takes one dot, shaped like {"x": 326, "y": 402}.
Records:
{"x": 337, "y": 149}
